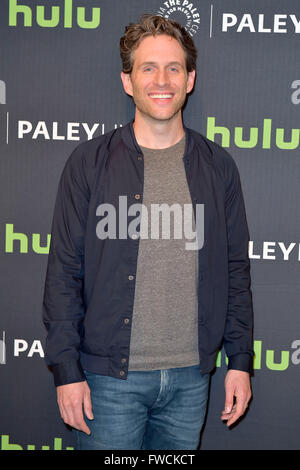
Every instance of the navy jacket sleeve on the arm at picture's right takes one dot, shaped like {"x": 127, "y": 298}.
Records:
{"x": 238, "y": 339}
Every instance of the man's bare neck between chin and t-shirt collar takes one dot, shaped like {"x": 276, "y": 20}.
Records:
{"x": 155, "y": 134}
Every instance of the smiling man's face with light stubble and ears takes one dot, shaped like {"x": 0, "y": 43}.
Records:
{"x": 159, "y": 80}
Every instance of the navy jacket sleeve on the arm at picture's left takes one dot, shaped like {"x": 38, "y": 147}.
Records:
{"x": 63, "y": 305}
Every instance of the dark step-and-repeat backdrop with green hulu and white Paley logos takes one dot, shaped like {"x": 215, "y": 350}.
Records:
{"x": 60, "y": 85}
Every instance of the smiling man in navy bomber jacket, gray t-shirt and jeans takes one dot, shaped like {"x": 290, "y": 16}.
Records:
{"x": 134, "y": 323}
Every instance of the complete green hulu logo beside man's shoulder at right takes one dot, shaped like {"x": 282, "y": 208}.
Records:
{"x": 253, "y": 136}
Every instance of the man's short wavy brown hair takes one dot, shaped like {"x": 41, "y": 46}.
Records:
{"x": 155, "y": 25}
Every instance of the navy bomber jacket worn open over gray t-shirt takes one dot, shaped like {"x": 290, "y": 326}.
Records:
{"x": 90, "y": 282}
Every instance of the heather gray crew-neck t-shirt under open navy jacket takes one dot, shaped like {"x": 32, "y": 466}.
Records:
{"x": 164, "y": 325}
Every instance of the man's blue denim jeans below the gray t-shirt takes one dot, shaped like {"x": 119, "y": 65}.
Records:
{"x": 157, "y": 409}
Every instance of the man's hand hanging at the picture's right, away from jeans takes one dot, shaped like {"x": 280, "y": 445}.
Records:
{"x": 237, "y": 385}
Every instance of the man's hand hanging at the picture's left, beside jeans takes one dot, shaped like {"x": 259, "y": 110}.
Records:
{"x": 72, "y": 400}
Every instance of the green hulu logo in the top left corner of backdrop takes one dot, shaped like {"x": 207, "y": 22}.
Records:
{"x": 19, "y": 12}
